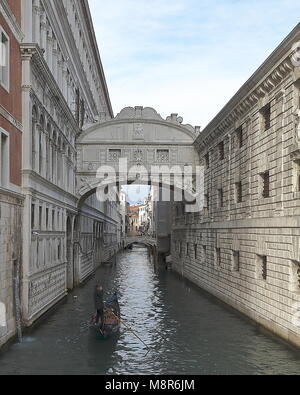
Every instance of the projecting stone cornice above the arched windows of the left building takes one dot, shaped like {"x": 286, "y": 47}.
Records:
{"x": 35, "y": 53}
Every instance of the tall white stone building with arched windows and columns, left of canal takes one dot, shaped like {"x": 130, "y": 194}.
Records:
{"x": 63, "y": 89}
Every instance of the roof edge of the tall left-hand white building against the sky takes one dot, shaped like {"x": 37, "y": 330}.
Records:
{"x": 92, "y": 34}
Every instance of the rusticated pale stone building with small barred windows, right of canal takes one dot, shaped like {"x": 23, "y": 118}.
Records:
{"x": 244, "y": 247}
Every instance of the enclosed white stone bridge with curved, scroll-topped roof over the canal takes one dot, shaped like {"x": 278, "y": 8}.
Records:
{"x": 138, "y": 136}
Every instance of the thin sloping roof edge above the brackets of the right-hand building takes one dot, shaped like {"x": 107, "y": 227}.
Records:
{"x": 283, "y": 48}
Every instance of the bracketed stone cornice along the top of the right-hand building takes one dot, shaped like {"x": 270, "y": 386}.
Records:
{"x": 267, "y": 78}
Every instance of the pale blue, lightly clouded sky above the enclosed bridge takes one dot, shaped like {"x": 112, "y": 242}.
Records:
{"x": 186, "y": 56}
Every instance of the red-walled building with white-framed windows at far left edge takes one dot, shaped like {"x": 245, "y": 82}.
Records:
{"x": 11, "y": 200}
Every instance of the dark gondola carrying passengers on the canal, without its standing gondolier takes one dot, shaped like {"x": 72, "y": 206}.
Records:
{"x": 111, "y": 320}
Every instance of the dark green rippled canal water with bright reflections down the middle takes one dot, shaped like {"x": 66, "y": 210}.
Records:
{"x": 187, "y": 332}
